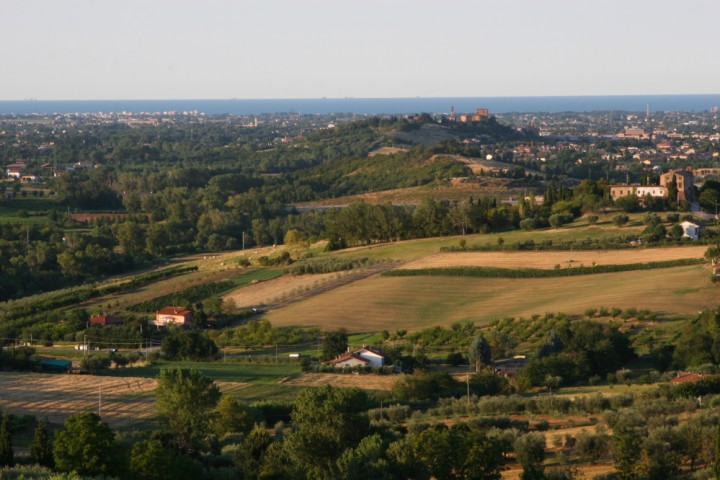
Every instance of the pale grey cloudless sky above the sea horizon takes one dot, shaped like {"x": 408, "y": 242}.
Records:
{"x": 214, "y": 49}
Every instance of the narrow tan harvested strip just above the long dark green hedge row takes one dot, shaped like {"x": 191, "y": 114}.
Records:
{"x": 550, "y": 258}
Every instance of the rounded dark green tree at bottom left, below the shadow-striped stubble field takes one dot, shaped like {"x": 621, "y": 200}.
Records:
{"x": 84, "y": 445}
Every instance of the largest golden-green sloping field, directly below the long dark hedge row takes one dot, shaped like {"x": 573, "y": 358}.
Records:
{"x": 413, "y": 303}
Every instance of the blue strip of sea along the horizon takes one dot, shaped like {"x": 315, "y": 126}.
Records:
{"x": 373, "y": 106}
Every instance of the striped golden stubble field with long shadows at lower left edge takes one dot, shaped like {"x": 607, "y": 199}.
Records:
{"x": 125, "y": 401}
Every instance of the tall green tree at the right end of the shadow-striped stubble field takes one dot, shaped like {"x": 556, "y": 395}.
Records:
{"x": 185, "y": 401}
